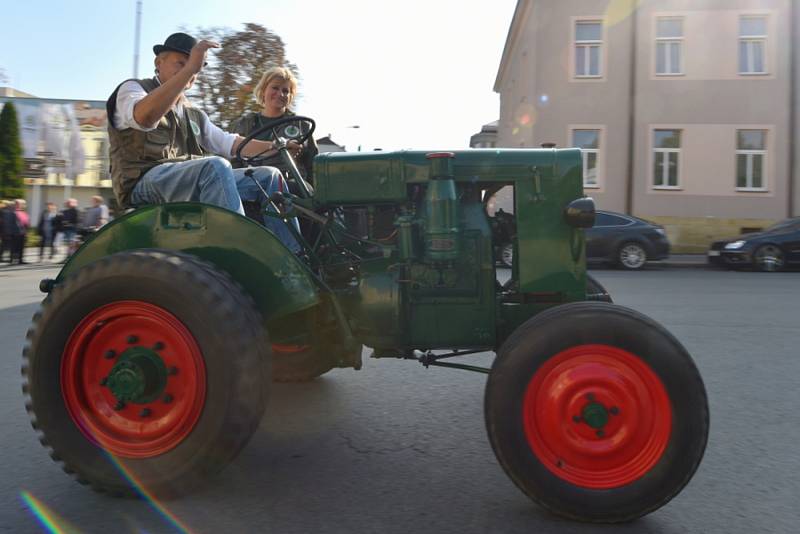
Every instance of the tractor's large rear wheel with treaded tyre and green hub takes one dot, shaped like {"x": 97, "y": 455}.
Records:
{"x": 145, "y": 373}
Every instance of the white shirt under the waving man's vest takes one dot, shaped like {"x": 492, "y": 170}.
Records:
{"x": 212, "y": 138}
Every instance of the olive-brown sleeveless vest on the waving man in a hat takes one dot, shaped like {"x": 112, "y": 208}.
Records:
{"x": 134, "y": 152}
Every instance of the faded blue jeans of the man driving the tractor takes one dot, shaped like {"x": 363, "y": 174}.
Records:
{"x": 212, "y": 181}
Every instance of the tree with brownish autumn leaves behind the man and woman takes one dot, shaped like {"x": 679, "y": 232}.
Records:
{"x": 224, "y": 89}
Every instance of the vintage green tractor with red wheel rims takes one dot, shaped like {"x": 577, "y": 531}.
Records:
{"x": 150, "y": 360}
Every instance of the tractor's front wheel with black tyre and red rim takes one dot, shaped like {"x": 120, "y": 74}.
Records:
{"x": 596, "y": 412}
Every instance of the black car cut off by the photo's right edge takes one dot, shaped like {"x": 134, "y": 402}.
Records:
{"x": 771, "y": 250}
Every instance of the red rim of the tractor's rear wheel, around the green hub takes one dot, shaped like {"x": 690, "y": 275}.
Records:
{"x": 136, "y": 430}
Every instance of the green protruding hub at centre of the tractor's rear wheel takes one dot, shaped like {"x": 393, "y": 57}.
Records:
{"x": 139, "y": 376}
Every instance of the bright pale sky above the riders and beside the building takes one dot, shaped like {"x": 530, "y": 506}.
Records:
{"x": 412, "y": 74}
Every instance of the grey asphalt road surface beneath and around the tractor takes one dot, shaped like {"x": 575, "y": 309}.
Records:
{"x": 398, "y": 448}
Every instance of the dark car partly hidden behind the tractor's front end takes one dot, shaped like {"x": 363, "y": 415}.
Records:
{"x": 622, "y": 240}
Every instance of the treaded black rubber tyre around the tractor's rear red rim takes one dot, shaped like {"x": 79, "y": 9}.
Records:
{"x": 220, "y": 319}
